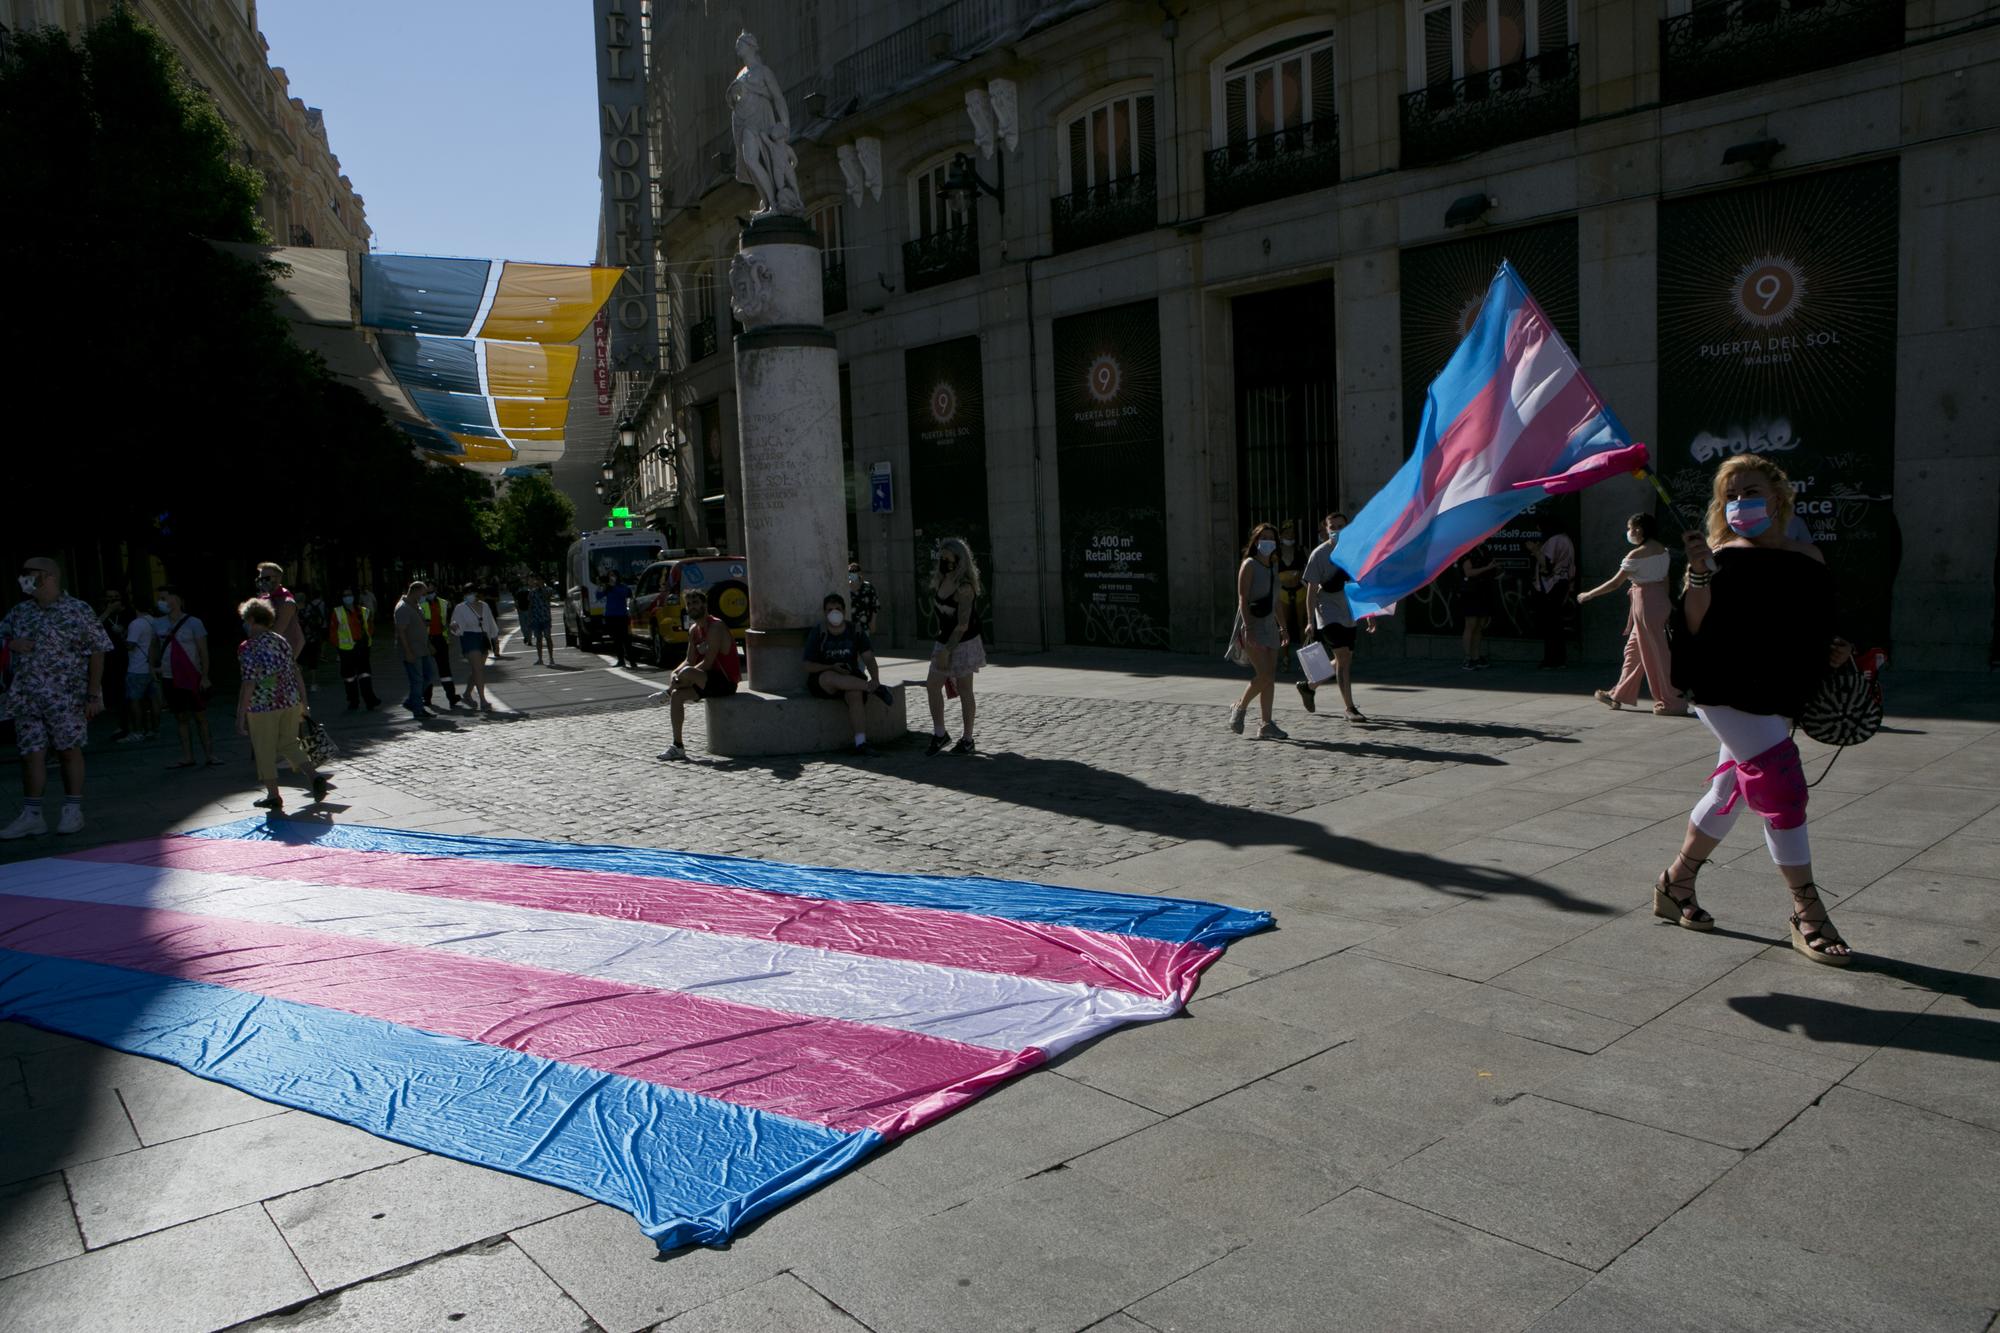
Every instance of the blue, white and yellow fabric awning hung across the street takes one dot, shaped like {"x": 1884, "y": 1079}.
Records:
{"x": 471, "y": 359}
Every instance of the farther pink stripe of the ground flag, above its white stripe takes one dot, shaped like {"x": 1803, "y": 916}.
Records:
{"x": 1159, "y": 970}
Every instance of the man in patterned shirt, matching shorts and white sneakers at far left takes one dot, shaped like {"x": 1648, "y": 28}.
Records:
{"x": 57, "y": 651}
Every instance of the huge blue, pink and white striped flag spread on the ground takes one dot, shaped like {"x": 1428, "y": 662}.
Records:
{"x": 693, "y": 1040}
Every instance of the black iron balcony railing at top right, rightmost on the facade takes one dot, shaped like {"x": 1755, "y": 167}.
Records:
{"x": 1731, "y": 45}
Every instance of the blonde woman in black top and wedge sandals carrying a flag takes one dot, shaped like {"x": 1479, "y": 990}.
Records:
{"x": 1761, "y": 617}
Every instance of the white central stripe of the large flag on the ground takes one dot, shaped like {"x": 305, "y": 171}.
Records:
{"x": 987, "y": 1010}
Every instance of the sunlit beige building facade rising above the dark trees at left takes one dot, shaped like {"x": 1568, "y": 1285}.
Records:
{"x": 307, "y": 199}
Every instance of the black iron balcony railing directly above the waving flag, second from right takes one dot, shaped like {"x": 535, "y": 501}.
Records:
{"x": 1483, "y": 111}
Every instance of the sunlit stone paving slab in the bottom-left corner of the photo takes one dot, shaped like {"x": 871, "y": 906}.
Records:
{"x": 209, "y": 1274}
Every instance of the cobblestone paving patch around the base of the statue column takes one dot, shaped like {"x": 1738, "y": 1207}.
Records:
{"x": 1077, "y": 784}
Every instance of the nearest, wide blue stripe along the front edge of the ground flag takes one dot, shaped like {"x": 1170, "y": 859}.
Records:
{"x": 689, "y": 1168}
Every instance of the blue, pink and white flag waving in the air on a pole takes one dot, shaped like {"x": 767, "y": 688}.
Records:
{"x": 1511, "y": 411}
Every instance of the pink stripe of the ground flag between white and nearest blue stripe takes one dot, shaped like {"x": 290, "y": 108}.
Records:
{"x": 847, "y": 1076}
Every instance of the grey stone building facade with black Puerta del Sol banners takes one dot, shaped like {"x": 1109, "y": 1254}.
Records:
{"x": 1217, "y": 253}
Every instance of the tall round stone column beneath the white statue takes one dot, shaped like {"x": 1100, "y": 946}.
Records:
{"x": 789, "y": 433}
